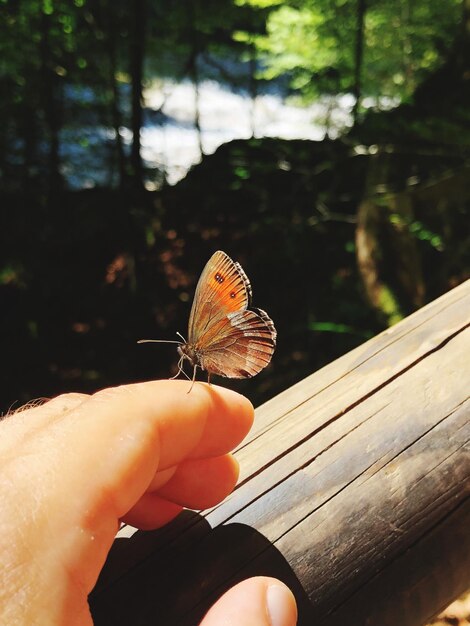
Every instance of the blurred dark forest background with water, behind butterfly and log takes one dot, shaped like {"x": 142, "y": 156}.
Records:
{"x": 348, "y": 213}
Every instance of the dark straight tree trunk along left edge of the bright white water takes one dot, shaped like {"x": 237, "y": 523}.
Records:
{"x": 137, "y": 61}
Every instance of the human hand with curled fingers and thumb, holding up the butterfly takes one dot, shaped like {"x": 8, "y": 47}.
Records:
{"x": 73, "y": 468}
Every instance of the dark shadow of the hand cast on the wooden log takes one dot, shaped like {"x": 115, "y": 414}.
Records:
{"x": 178, "y": 580}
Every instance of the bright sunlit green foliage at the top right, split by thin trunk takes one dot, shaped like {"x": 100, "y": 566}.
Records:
{"x": 314, "y": 42}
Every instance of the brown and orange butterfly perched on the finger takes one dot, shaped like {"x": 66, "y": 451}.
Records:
{"x": 226, "y": 336}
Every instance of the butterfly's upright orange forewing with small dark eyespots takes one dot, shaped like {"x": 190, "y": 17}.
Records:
{"x": 223, "y": 288}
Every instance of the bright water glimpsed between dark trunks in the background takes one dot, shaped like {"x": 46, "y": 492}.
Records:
{"x": 171, "y": 143}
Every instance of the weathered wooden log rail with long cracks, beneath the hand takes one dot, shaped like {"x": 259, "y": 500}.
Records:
{"x": 354, "y": 490}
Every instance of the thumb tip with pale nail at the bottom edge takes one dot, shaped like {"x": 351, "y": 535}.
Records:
{"x": 259, "y": 601}
